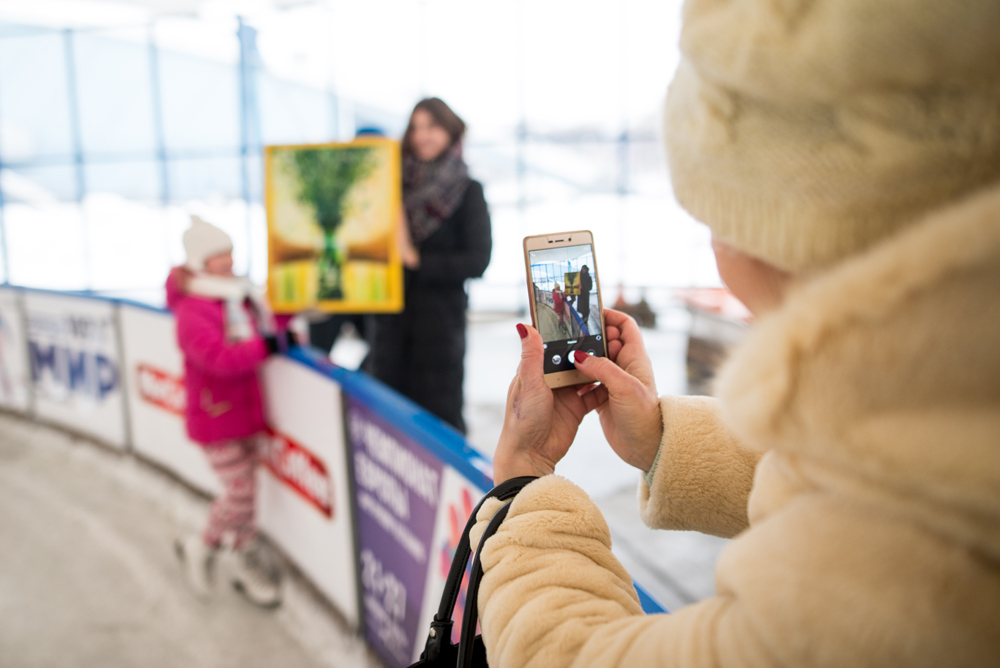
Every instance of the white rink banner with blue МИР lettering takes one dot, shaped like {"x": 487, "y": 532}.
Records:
{"x": 73, "y": 354}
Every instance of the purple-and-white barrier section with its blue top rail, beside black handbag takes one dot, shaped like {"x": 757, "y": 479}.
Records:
{"x": 403, "y": 549}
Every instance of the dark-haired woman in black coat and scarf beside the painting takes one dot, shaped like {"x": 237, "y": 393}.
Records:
{"x": 445, "y": 239}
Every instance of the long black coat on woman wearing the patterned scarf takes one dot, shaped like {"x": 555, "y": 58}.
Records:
{"x": 421, "y": 351}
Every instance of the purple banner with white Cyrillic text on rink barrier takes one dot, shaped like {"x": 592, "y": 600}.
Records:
{"x": 398, "y": 491}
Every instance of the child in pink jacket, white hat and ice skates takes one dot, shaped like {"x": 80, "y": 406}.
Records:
{"x": 225, "y": 332}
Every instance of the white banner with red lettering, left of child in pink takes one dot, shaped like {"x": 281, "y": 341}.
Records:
{"x": 156, "y": 396}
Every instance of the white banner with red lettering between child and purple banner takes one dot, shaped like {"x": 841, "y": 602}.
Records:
{"x": 303, "y": 484}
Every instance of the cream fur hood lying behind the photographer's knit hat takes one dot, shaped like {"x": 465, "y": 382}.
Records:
{"x": 881, "y": 378}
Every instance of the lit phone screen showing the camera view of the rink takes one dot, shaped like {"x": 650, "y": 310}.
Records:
{"x": 566, "y": 306}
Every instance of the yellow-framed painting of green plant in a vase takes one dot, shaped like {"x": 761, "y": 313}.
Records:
{"x": 332, "y": 212}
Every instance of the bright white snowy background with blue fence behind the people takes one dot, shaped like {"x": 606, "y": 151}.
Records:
{"x": 118, "y": 119}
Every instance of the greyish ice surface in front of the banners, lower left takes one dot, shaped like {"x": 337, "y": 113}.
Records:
{"x": 88, "y": 576}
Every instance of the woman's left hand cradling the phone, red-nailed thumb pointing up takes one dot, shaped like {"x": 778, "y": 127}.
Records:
{"x": 540, "y": 424}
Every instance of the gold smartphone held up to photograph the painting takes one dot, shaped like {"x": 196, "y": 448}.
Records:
{"x": 564, "y": 293}
